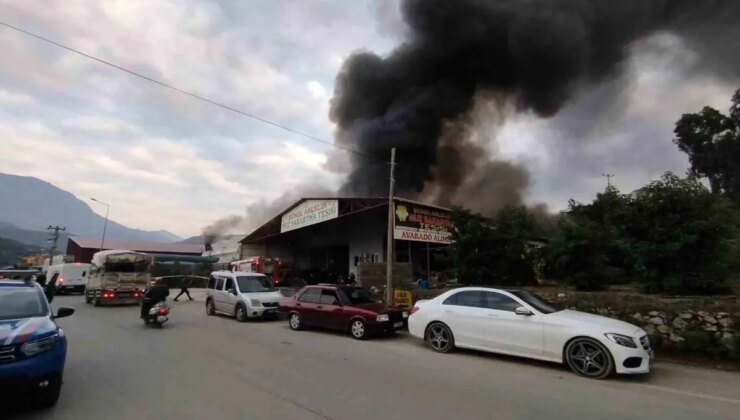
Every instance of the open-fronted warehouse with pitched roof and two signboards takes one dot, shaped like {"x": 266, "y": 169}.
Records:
{"x": 344, "y": 236}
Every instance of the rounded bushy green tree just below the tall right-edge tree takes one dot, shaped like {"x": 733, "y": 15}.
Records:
{"x": 684, "y": 237}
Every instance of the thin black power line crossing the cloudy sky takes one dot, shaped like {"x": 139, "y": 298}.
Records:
{"x": 191, "y": 94}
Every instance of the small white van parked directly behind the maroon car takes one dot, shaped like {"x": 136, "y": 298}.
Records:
{"x": 241, "y": 294}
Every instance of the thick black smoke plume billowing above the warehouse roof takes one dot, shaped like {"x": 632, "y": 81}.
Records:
{"x": 533, "y": 54}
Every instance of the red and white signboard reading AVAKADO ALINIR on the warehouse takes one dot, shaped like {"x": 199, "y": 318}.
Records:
{"x": 416, "y": 222}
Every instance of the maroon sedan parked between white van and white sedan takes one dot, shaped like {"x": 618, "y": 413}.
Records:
{"x": 344, "y": 308}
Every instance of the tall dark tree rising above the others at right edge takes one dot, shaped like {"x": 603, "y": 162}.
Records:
{"x": 712, "y": 142}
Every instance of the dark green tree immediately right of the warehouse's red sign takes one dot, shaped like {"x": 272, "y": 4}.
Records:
{"x": 493, "y": 251}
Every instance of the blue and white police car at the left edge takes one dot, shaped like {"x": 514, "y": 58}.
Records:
{"x": 32, "y": 346}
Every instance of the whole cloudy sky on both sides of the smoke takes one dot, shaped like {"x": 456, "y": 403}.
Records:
{"x": 167, "y": 161}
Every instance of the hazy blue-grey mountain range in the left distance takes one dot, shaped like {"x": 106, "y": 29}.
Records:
{"x": 28, "y": 205}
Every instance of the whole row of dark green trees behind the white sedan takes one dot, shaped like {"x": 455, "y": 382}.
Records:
{"x": 674, "y": 235}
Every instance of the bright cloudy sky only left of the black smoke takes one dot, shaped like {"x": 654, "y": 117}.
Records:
{"x": 163, "y": 159}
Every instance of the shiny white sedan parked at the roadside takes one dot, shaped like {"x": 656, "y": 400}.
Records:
{"x": 520, "y": 323}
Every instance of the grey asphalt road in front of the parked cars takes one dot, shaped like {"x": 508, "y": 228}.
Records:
{"x": 214, "y": 367}
